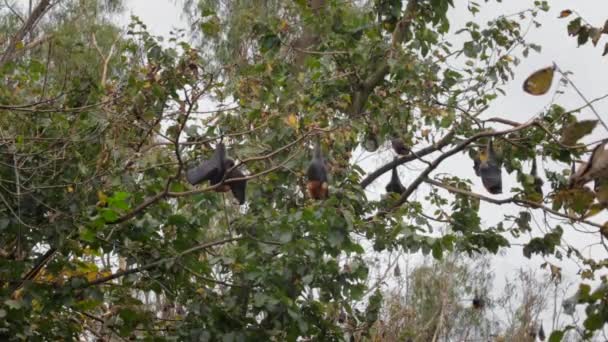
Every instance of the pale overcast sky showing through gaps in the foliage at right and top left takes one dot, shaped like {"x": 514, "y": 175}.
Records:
{"x": 590, "y": 75}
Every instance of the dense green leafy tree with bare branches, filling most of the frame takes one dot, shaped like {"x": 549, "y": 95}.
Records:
{"x": 103, "y": 236}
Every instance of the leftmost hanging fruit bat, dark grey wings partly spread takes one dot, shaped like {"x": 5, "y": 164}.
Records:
{"x": 214, "y": 170}
